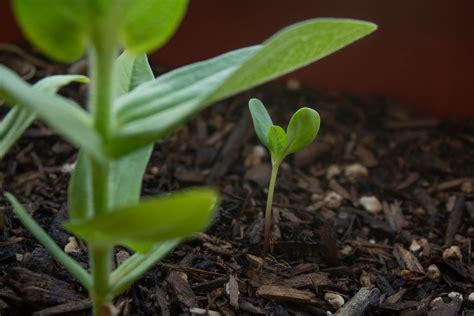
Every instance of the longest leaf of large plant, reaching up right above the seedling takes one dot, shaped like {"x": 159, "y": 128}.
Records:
{"x": 156, "y": 109}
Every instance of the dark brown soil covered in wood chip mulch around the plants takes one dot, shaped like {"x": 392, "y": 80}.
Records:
{"x": 378, "y": 212}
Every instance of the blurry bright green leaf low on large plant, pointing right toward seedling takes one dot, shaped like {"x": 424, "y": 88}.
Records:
{"x": 151, "y": 221}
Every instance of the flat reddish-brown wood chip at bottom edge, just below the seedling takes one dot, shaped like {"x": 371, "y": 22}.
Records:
{"x": 286, "y": 294}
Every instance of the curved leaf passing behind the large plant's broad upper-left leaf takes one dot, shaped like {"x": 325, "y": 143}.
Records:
{"x": 18, "y": 119}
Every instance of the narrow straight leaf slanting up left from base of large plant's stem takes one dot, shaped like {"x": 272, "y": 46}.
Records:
{"x": 68, "y": 263}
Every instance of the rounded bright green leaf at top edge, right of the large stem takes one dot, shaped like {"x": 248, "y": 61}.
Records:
{"x": 148, "y": 24}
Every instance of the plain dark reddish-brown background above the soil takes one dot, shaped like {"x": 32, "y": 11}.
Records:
{"x": 422, "y": 53}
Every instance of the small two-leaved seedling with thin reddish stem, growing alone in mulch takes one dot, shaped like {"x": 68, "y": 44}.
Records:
{"x": 302, "y": 130}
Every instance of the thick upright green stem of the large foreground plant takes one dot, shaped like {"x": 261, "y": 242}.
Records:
{"x": 102, "y": 64}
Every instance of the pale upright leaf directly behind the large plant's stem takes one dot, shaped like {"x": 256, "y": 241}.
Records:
{"x": 126, "y": 172}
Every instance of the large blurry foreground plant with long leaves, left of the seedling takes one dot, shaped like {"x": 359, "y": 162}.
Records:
{"x": 127, "y": 111}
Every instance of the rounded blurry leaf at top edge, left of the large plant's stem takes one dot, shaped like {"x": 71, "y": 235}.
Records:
{"x": 56, "y": 27}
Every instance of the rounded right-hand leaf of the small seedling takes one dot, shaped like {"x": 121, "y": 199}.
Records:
{"x": 302, "y": 129}
